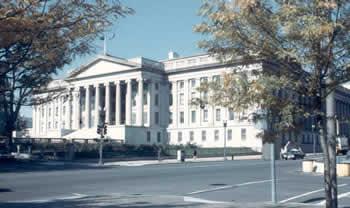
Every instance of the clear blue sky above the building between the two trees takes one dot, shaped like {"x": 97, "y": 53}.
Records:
{"x": 157, "y": 27}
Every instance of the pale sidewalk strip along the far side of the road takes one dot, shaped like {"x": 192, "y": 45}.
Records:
{"x": 172, "y": 161}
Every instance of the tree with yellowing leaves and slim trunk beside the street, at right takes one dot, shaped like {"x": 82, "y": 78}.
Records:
{"x": 303, "y": 45}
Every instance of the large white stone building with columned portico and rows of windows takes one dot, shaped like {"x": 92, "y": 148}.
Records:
{"x": 148, "y": 102}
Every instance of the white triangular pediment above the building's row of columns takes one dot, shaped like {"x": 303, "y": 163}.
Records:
{"x": 102, "y": 66}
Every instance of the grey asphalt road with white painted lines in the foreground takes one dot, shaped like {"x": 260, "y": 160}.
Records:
{"x": 246, "y": 181}
